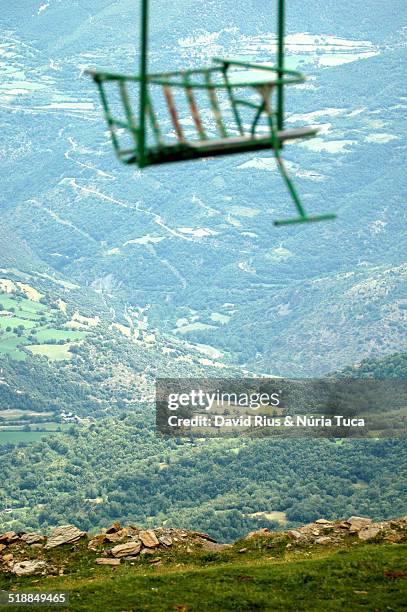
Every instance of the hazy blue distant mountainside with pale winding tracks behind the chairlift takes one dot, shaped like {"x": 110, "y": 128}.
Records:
{"x": 196, "y": 241}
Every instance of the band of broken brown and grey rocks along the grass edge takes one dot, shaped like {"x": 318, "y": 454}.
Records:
{"x": 117, "y": 544}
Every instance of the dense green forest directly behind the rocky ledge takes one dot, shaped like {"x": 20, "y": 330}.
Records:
{"x": 225, "y": 487}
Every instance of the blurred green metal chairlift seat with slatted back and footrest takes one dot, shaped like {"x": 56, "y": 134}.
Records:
{"x": 230, "y": 90}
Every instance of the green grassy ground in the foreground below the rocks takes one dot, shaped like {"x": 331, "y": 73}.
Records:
{"x": 361, "y": 577}
